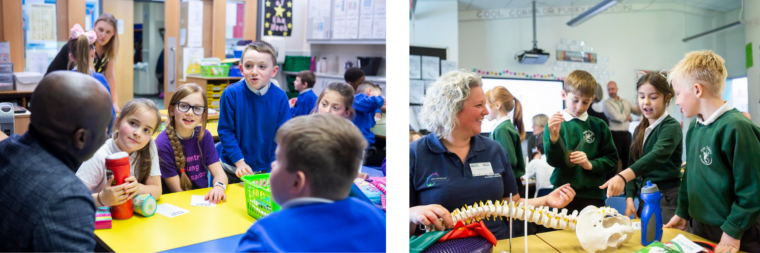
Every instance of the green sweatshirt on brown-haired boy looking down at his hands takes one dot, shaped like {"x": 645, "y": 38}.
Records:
{"x": 599, "y": 149}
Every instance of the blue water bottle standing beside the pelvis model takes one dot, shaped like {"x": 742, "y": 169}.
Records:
{"x": 651, "y": 216}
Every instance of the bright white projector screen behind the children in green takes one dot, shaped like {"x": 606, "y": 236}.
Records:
{"x": 536, "y": 97}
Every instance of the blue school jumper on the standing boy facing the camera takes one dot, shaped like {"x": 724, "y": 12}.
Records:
{"x": 248, "y": 123}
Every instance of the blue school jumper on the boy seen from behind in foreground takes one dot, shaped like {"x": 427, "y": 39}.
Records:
{"x": 349, "y": 225}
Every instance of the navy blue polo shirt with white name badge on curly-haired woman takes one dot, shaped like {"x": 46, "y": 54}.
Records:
{"x": 438, "y": 176}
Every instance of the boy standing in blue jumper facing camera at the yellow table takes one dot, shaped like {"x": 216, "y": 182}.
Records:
{"x": 250, "y": 113}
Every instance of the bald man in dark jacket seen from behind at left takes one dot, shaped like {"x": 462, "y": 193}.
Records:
{"x": 45, "y": 206}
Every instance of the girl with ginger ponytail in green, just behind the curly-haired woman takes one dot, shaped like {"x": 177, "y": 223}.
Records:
{"x": 500, "y": 102}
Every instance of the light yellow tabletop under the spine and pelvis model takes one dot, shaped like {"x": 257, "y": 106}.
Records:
{"x": 567, "y": 241}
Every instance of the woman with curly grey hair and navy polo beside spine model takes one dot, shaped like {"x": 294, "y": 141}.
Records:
{"x": 455, "y": 166}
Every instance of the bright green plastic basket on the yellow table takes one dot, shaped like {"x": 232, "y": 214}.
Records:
{"x": 258, "y": 198}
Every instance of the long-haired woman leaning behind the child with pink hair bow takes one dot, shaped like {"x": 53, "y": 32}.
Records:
{"x": 106, "y": 48}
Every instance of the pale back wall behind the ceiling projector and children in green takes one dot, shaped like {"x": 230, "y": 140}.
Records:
{"x": 648, "y": 39}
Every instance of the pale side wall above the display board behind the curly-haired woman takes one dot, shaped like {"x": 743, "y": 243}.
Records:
{"x": 436, "y": 24}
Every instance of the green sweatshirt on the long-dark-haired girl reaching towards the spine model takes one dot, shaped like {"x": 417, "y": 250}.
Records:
{"x": 661, "y": 162}
